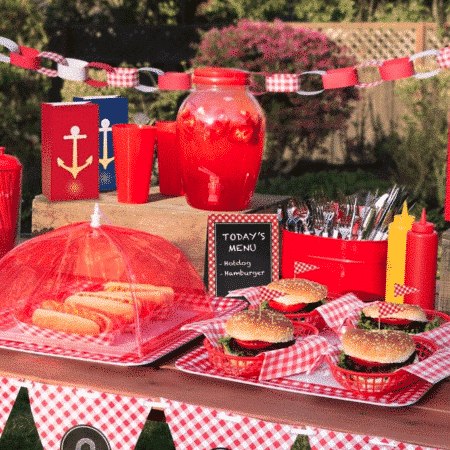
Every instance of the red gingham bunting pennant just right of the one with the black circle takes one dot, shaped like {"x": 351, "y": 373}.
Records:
{"x": 199, "y": 428}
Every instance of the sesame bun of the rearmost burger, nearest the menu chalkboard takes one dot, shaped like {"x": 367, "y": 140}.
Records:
{"x": 298, "y": 290}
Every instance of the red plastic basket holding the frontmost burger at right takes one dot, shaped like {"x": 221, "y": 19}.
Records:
{"x": 378, "y": 383}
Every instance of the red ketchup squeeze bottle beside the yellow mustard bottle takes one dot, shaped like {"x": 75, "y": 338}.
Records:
{"x": 421, "y": 263}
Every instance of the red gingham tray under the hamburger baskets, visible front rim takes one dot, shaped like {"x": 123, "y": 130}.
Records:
{"x": 320, "y": 383}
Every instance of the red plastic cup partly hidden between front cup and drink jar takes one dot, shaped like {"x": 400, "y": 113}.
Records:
{"x": 168, "y": 158}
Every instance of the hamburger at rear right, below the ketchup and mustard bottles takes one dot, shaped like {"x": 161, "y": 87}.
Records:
{"x": 411, "y": 319}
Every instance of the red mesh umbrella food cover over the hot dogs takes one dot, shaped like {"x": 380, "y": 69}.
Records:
{"x": 115, "y": 281}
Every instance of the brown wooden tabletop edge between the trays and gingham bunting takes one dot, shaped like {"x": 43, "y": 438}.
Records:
{"x": 425, "y": 423}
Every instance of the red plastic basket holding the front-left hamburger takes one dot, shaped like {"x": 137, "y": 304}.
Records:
{"x": 248, "y": 366}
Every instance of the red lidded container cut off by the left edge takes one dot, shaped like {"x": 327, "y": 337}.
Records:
{"x": 10, "y": 197}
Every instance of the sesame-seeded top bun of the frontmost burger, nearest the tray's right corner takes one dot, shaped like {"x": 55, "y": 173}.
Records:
{"x": 381, "y": 346}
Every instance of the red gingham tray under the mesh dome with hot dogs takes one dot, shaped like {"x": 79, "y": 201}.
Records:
{"x": 155, "y": 350}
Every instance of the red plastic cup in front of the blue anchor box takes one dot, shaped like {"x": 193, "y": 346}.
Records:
{"x": 134, "y": 146}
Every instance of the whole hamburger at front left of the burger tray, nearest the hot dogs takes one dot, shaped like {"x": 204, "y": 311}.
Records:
{"x": 250, "y": 332}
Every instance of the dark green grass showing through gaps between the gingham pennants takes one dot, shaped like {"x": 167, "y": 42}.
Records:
{"x": 20, "y": 432}
